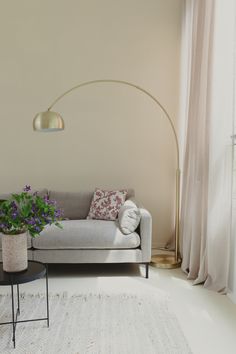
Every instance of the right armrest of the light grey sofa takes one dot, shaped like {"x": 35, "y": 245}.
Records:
{"x": 146, "y": 234}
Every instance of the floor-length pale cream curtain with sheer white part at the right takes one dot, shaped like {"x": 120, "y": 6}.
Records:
{"x": 207, "y": 111}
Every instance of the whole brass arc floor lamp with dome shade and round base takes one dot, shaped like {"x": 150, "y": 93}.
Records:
{"x": 52, "y": 121}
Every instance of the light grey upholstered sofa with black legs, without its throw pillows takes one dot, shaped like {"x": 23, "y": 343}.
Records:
{"x": 90, "y": 241}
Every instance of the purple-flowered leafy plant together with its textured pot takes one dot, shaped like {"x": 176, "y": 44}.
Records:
{"x": 22, "y": 214}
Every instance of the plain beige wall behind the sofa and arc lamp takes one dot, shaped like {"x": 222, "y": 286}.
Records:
{"x": 115, "y": 136}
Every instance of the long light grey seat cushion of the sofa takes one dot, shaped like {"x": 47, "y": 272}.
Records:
{"x": 86, "y": 234}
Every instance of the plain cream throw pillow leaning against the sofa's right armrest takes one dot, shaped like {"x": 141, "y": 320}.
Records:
{"x": 129, "y": 217}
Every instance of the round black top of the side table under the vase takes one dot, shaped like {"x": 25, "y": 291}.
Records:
{"x": 35, "y": 270}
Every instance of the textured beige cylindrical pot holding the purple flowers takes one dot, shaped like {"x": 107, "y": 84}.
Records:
{"x": 14, "y": 252}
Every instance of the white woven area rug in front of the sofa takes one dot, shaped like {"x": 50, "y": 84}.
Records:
{"x": 94, "y": 324}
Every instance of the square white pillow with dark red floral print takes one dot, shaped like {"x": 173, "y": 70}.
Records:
{"x": 106, "y": 204}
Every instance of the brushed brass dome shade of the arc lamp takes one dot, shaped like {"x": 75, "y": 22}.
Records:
{"x": 48, "y": 122}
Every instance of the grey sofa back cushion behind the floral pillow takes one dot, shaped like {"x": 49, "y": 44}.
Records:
{"x": 76, "y": 205}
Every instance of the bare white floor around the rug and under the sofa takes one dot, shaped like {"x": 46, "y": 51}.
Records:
{"x": 208, "y": 320}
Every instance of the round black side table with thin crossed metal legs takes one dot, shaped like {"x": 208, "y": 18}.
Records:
{"x": 36, "y": 270}
